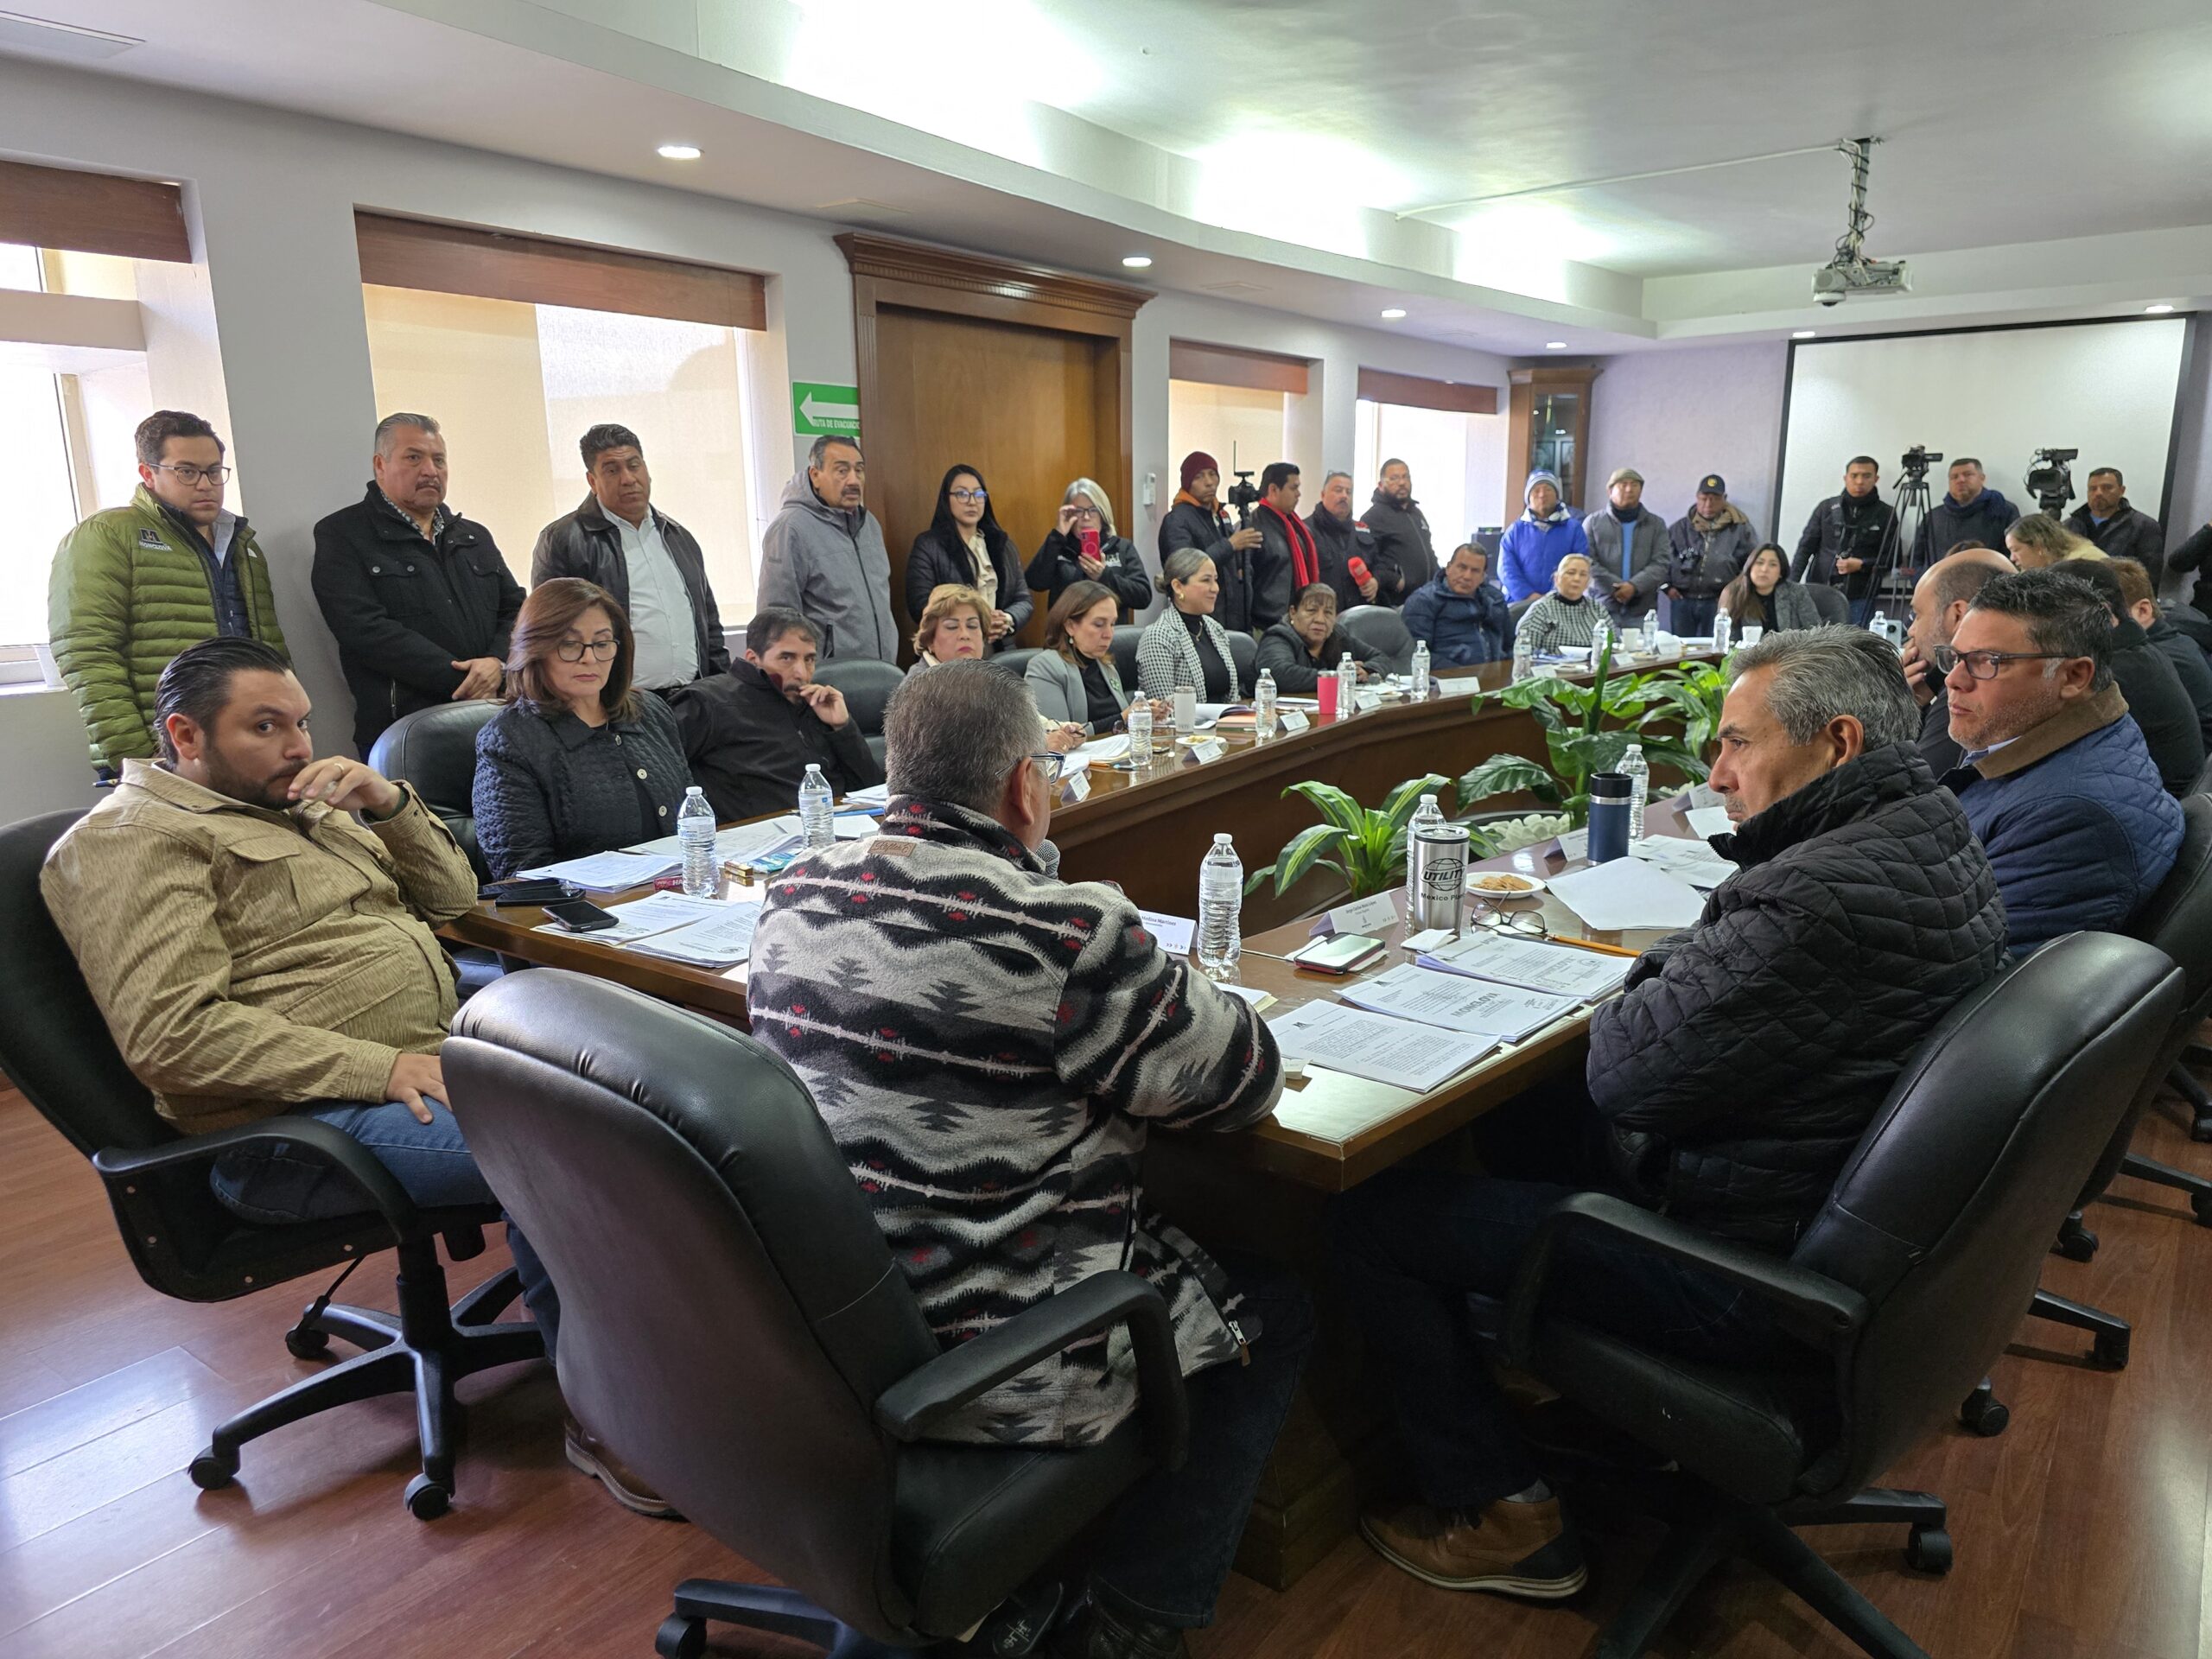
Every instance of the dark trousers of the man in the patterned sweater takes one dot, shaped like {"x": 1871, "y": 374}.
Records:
{"x": 1176, "y": 1536}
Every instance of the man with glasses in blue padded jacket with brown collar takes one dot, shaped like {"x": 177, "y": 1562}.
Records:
{"x": 2056, "y": 778}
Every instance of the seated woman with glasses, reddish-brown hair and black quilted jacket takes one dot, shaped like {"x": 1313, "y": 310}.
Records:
{"x": 581, "y": 760}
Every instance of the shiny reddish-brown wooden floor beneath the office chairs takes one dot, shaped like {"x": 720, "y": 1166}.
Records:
{"x": 2080, "y": 1532}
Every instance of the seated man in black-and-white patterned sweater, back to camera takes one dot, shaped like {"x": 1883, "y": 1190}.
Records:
{"x": 990, "y": 1047}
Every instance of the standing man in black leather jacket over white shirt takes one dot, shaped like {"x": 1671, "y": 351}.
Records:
{"x": 649, "y": 563}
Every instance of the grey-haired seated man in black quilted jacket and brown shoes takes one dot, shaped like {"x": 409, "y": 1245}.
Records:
{"x": 1729, "y": 1085}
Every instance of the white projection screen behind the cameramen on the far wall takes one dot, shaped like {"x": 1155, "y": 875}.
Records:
{"x": 1999, "y": 395}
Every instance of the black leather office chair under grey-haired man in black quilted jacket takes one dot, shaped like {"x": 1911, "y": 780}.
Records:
{"x": 1908, "y": 1284}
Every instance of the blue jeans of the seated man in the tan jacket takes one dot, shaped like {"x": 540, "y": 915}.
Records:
{"x": 432, "y": 1165}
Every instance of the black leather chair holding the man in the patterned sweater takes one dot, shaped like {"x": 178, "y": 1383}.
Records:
{"x": 755, "y": 1353}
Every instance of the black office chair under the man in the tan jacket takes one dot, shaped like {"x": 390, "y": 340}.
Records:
{"x": 56, "y": 1050}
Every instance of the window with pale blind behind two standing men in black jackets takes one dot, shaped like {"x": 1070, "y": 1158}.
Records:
{"x": 514, "y": 388}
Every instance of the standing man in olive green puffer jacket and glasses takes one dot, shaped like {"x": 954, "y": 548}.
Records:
{"x": 136, "y": 585}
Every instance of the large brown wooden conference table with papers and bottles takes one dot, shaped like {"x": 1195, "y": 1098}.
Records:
{"x": 1264, "y": 1189}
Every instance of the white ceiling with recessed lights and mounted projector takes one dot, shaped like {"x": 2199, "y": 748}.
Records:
{"x": 1271, "y": 147}
